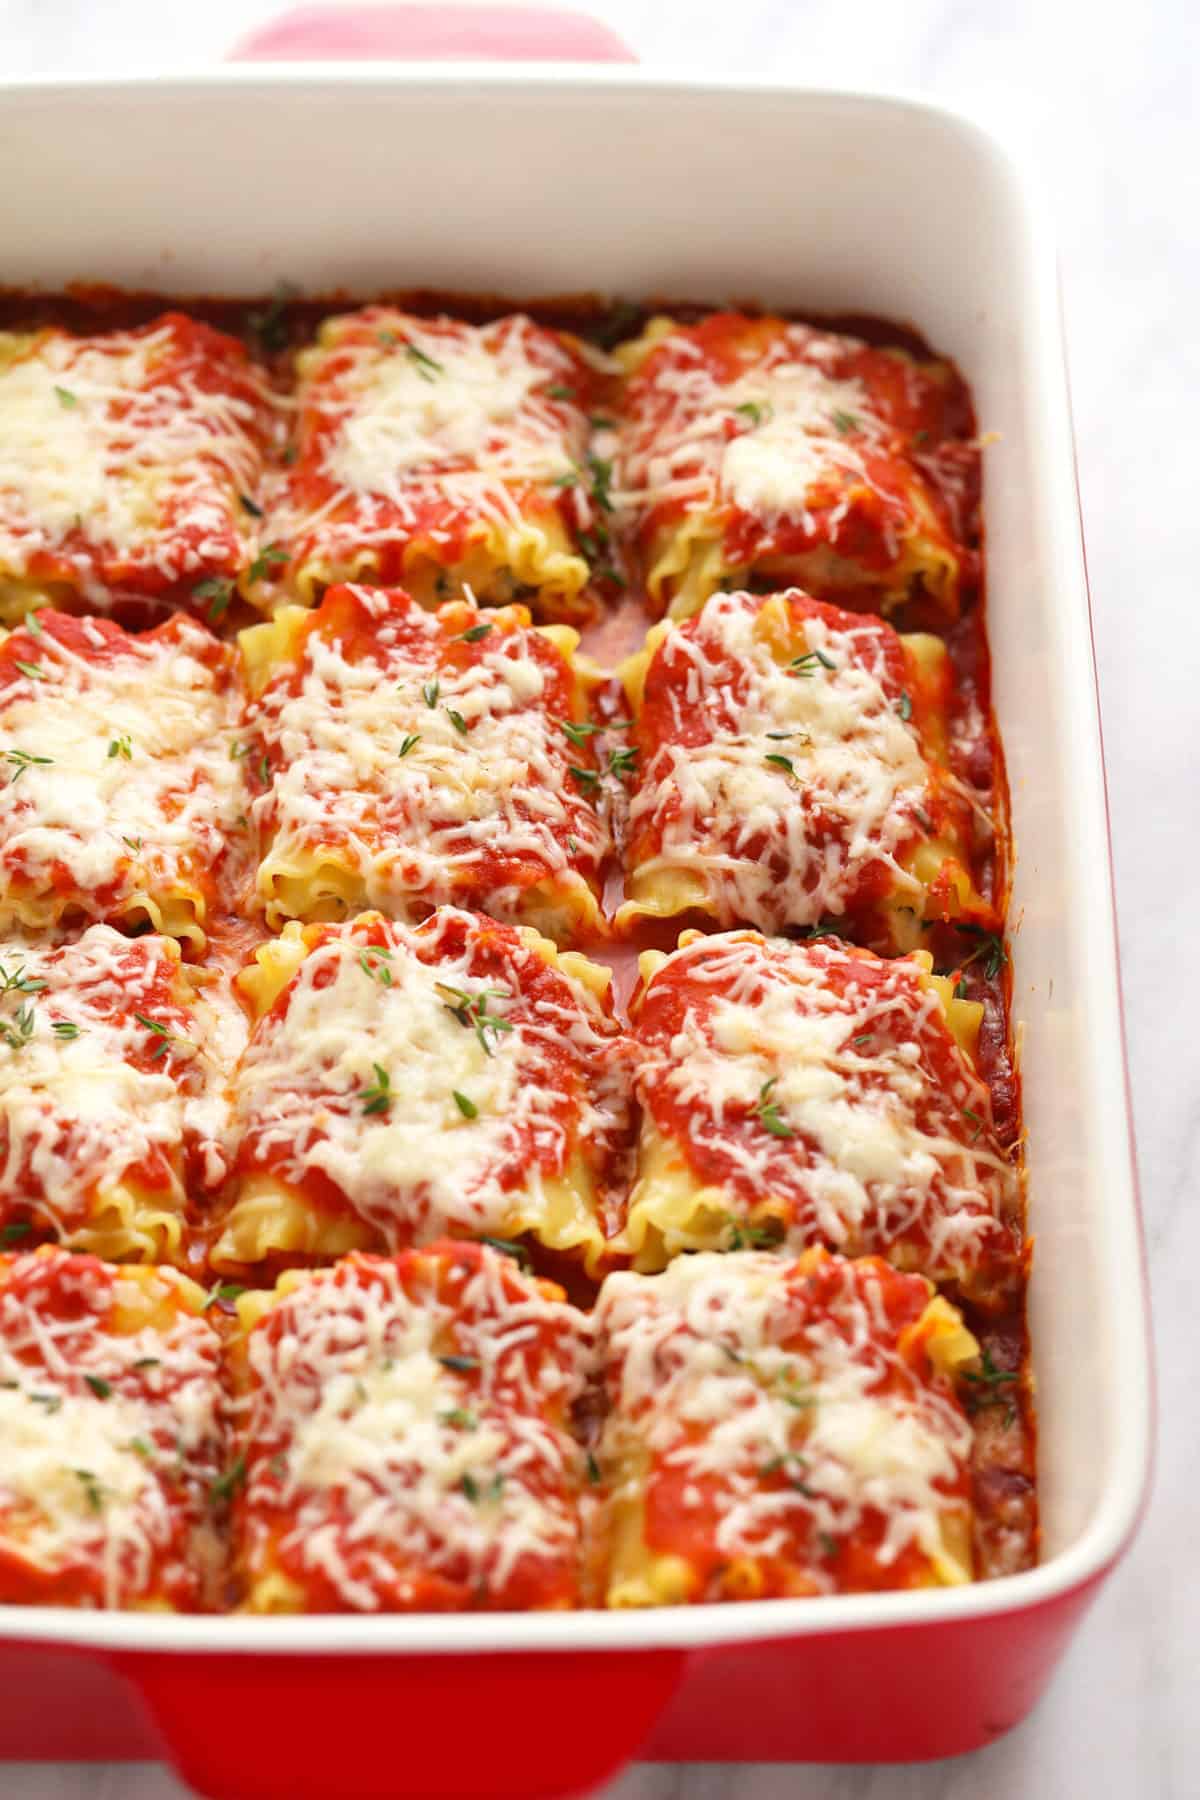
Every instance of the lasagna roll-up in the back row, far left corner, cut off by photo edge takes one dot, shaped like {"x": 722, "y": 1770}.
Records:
{"x": 123, "y": 463}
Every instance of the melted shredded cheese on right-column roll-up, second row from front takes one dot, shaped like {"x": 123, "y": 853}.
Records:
{"x": 866, "y": 1146}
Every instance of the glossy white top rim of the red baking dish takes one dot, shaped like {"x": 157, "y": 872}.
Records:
{"x": 1131, "y": 1399}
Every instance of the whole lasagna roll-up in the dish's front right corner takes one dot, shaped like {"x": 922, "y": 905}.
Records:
{"x": 782, "y": 1428}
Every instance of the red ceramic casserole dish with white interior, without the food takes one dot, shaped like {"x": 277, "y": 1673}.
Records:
{"x": 609, "y": 165}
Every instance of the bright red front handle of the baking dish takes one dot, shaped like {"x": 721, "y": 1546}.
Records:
{"x": 497, "y": 1725}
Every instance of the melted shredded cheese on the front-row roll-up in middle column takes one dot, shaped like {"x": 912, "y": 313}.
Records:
{"x": 431, "y": 1471}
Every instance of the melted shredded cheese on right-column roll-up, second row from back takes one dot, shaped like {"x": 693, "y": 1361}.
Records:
{"x": 823, "y": 744}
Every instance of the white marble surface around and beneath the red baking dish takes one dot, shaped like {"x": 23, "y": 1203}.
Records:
{"x": 1109, "y": 96}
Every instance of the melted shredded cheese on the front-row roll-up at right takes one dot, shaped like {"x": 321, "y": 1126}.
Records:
{"x": 710, "y": 1383}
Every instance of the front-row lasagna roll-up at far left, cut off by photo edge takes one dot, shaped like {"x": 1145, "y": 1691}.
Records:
{"x": 112, "y": 1437}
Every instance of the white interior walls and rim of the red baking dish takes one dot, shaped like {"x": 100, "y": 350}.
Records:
{"x": 559, "y": 181}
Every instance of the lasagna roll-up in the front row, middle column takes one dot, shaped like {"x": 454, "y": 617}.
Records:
{"x": 404, "y": 1432}
